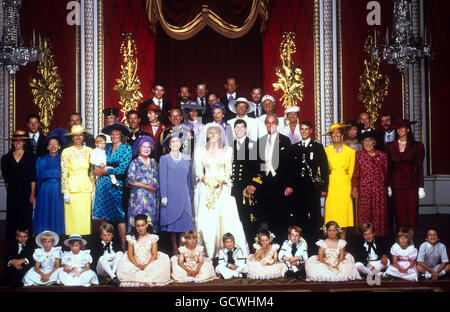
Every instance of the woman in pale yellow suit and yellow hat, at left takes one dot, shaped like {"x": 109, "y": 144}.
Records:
{"x": 77, "y": 184}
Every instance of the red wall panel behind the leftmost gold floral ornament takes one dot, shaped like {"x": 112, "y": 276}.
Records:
{"x": 47, "y": 17}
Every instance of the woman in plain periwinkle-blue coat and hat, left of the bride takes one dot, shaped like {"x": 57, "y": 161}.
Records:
{"x": 176, "y": 190}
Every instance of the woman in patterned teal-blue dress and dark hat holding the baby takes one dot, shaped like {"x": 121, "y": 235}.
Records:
{"x": 108, "y": 197}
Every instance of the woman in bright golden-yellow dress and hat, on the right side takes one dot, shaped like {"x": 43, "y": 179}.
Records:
{"x": 341, "y": 160}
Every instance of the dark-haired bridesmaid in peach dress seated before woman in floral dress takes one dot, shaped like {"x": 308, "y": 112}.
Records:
{"x": 143, "y": 264}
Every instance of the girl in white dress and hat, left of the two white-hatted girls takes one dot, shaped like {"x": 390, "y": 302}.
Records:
{"x": 47, "y": 261}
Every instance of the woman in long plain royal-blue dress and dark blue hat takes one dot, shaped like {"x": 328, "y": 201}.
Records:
{"x": 49, "y": 209}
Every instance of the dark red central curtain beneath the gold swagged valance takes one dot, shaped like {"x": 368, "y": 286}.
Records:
{"x": 209, "y": 57}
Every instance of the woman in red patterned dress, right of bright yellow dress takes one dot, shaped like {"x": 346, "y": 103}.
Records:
{"x": 369, "y": 185}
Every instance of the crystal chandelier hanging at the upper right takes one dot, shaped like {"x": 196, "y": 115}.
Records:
{"x": 403, "y": 48}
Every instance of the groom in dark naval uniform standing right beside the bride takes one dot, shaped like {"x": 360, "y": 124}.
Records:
{"x": 245, "y": 176}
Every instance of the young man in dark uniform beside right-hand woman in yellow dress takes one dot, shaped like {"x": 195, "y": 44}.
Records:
{"x": 311, "y": 174}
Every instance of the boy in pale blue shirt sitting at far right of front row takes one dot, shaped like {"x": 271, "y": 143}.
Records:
{"x": 432, "y": 261}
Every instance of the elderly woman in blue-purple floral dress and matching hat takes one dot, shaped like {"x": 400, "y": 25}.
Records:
{"x": 143, "y": 180}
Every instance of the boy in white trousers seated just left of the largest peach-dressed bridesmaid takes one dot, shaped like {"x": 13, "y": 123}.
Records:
{"x": 106, "y": 255}
